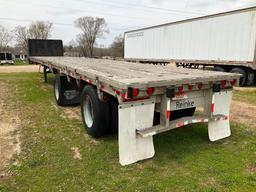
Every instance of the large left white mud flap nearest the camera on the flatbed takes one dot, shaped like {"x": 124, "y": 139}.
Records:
{"x": 133, "y": 147}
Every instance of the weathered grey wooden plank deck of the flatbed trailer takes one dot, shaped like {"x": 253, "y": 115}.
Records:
{"x": 122, "y": 75}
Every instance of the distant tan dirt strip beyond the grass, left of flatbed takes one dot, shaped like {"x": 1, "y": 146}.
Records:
{"x": 17, "y": 69}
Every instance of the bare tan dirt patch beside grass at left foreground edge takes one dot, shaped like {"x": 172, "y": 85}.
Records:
{"x": 9, "y": 126}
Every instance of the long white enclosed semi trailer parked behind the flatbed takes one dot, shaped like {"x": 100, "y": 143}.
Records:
{"x": 226, "y": 41}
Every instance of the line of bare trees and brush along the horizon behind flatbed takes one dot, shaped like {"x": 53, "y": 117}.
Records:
{"x": 91, "y": 29}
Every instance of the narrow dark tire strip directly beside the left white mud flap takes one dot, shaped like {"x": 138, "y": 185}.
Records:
{"x": 113, "y": 111}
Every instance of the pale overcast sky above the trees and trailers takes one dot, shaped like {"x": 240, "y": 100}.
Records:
{"x": 120, "y": 15}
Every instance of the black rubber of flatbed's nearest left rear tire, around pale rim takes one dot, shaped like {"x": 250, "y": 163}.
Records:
{"x": 100, "y": 110}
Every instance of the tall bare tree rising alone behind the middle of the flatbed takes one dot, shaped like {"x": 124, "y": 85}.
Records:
{"x": 92, "y": 28}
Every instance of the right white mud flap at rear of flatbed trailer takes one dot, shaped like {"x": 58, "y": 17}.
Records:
{"x": 220, "y": 129}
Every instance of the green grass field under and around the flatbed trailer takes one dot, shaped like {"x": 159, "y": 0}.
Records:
{"x": 185, "y": 159}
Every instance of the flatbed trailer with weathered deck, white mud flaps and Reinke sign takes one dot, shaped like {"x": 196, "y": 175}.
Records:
{"x": 141, "y": 100}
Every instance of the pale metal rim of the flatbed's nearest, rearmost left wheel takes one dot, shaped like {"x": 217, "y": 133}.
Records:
{"x": 88, "y": 111}
